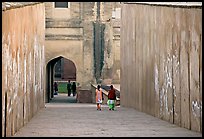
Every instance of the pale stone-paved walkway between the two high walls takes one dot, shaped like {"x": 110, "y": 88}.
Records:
{"x": 64, "y": 118}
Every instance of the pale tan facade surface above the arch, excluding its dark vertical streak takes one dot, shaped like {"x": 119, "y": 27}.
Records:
{"x": 71, "y": 36}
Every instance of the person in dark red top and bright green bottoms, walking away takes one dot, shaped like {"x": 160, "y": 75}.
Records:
{"x": 111, "y": 98}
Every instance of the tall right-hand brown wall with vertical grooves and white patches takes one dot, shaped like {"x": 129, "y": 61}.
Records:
{"x": 160, "y": 62}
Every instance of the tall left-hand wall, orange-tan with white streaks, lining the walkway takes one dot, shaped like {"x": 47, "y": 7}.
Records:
{"x": 23, "y": 70}
